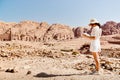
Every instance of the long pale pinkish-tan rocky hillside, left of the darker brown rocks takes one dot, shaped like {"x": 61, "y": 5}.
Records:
{"x": 34, "y": 31}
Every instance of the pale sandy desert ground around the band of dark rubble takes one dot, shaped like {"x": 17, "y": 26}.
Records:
{"x": 65, "y": 67}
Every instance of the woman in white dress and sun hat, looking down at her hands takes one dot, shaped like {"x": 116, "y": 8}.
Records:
{"x": 95, "y": 47}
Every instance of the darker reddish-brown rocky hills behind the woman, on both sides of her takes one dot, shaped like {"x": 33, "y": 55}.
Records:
{"x": 109, "y": 28}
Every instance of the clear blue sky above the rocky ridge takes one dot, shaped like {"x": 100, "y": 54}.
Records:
{"x": 69, "y": 12}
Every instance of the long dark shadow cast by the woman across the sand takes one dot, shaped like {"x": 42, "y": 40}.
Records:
{"x": 45, "y": 75}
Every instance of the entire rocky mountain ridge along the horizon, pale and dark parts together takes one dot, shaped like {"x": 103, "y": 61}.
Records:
{"x": 42, "y": 31}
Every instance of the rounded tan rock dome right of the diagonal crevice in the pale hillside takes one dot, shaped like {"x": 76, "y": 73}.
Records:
{"x": 59, "y": 32}
